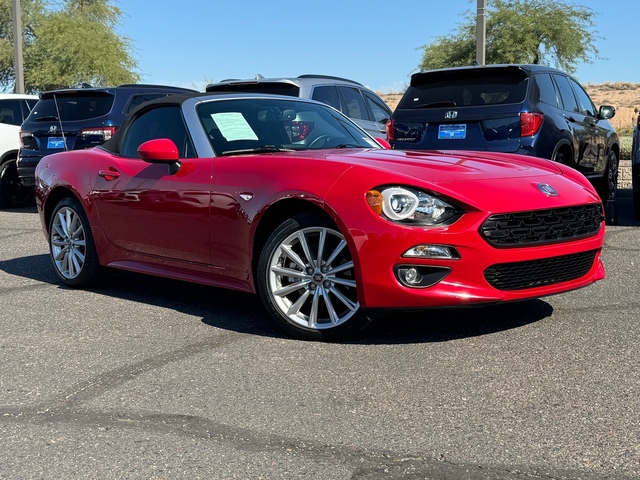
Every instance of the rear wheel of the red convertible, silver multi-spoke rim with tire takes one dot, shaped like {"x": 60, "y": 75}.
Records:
{"x": 71, "y": 245}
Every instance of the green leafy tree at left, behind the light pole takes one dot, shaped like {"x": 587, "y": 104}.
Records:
{"x": 66, "y": 44}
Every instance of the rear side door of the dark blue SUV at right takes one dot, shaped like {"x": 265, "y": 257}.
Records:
{"x": 580, "y": 124}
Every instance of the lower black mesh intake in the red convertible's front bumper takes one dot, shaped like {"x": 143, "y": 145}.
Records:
{"x": 539, "y": 273}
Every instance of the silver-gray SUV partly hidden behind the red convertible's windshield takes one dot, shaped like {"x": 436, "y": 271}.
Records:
{"x": 353, "y": 99}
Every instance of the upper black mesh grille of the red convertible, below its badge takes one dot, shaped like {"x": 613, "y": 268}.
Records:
{"x": 539, "y": 227}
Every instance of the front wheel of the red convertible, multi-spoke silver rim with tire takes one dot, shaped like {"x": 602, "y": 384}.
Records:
{"x": 307, "y": 282}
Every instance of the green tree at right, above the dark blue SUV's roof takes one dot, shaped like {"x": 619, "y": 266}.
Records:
{"x": 551, "y": 32}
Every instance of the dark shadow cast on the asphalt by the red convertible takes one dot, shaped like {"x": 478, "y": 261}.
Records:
{"x": 243, "y": 312}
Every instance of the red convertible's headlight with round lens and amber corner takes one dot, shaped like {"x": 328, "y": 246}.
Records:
{"x": 410, "y": 205}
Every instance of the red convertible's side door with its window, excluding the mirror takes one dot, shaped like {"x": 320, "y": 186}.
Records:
{"x": 148, "y": 208}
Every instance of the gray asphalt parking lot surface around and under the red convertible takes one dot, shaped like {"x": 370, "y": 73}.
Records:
{"x": 150, "y": 378}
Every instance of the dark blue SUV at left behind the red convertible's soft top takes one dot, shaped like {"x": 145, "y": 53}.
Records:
{"x": 73, "y": 119}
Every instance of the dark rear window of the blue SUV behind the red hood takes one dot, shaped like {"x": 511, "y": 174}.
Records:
{"x": 464, "y": 88}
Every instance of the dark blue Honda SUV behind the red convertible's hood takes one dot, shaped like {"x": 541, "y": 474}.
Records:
{"x": 528, "y": 109}
